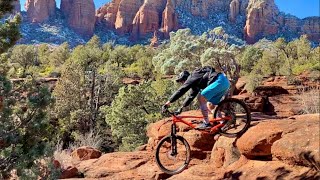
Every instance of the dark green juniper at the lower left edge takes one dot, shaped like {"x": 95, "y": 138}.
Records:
{"x": 25, "y": 129}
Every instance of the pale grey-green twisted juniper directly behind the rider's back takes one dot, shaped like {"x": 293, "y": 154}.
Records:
{"x": 187, "y": 52}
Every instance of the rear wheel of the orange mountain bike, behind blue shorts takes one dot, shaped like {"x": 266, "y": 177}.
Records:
{"x": 240, "y": 116}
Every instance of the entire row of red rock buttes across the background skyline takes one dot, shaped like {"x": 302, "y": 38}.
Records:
{"x": 141, "y": 17}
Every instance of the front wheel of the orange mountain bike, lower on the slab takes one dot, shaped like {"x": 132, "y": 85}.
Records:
{"x": 173, "y": 154}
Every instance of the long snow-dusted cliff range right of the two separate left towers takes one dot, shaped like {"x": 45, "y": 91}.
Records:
{"x": 261, "y": 18}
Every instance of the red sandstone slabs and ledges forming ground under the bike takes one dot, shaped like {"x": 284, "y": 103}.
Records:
{"x": 279, "y": 145}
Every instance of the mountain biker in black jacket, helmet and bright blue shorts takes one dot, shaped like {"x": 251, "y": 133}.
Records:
{"x": 211, "y": 84}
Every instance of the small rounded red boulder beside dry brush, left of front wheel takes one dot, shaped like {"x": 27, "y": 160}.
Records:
{"x": 85, "y": 153}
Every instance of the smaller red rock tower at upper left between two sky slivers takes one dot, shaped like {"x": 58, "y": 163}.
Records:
{"x": 40, "y": 10}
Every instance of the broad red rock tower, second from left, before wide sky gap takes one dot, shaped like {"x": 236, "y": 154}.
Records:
{"x": 80, "y": 15}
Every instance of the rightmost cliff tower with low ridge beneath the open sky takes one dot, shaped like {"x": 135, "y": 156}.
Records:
{"x": 264, "y": 19}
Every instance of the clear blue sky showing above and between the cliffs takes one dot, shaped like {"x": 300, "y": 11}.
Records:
{"x": 299, "y": 8}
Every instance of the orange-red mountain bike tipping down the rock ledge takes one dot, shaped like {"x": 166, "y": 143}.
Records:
{"x": 231, "y": 118}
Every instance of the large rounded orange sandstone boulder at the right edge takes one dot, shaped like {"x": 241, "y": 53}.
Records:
{"x": 300, "y": 146}
